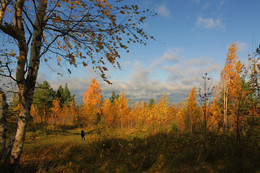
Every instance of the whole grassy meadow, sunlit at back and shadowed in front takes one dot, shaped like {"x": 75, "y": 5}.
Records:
{"x": 115, "y": 150}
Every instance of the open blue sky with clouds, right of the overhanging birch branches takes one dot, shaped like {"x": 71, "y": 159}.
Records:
{"x": 192, "y": 38}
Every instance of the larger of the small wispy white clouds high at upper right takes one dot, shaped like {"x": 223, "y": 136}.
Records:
{"x": 209, "y": 23}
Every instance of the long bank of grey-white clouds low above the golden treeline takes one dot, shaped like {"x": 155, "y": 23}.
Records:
{"x": 172, "y": 74}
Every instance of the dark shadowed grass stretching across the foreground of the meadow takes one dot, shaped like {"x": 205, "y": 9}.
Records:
{"x": 155, "y": 153}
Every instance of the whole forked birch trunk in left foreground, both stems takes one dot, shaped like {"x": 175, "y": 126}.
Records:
{"x": 25, "y": 81}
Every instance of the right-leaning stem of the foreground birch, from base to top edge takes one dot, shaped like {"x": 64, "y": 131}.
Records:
{"x": 26, "y": 88}
